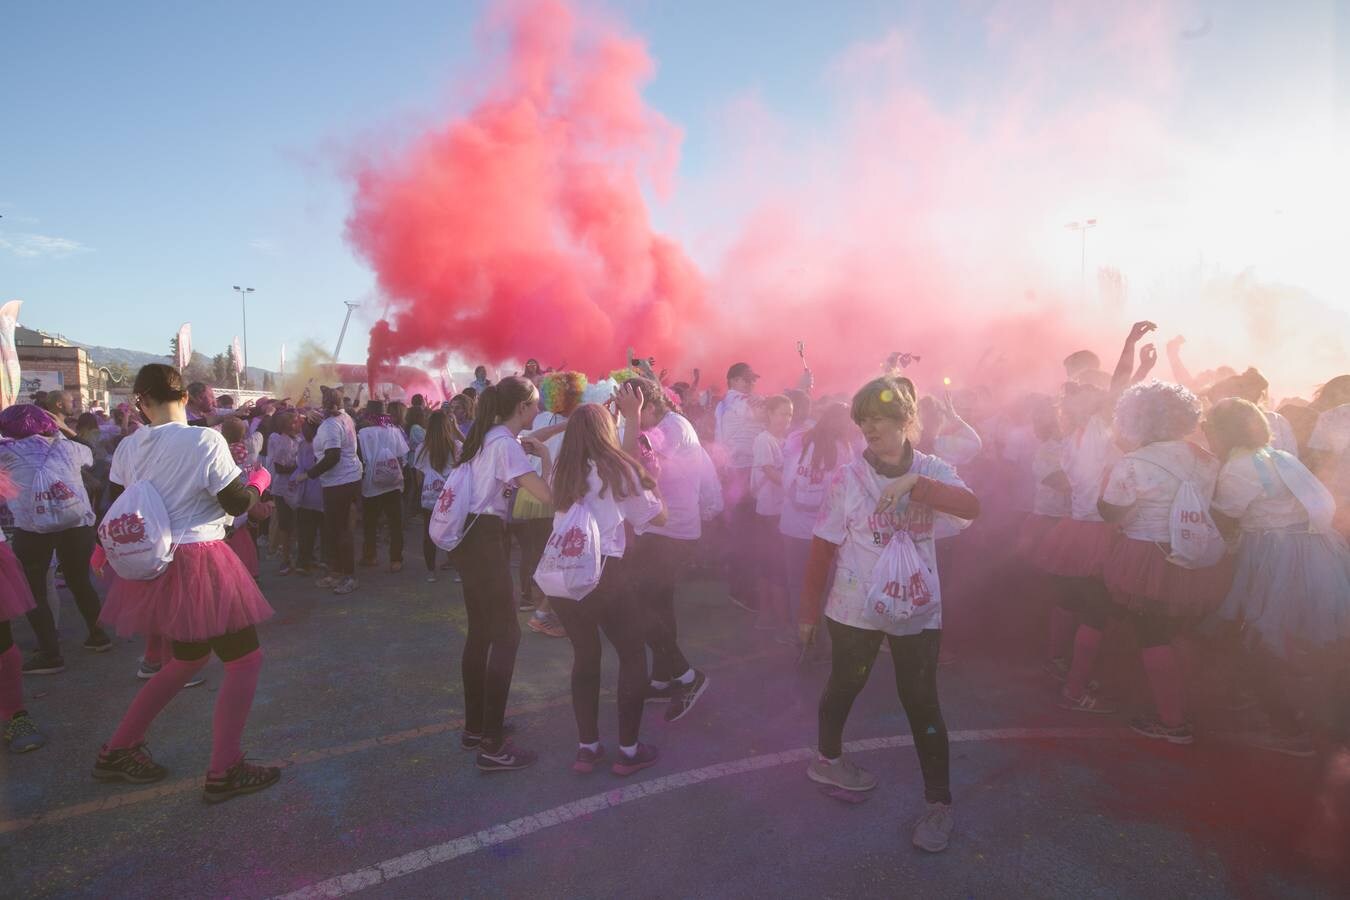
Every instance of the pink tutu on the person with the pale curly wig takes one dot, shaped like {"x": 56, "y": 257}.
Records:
{"x": 1141, "y": 580}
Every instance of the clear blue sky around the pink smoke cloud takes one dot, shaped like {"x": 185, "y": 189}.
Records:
{"x": 156, "y": 154}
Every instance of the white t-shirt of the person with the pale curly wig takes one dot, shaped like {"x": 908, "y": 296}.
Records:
{"x": 1148, "y": 482}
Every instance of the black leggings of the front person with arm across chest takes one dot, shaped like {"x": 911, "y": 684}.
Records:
{"x": 916, "y": 681}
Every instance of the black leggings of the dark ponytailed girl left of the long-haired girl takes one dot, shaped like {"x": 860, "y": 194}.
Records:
{"x": 489, "y": 659}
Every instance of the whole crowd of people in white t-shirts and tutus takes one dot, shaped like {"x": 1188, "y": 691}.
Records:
{"x": 1186, "y": 517}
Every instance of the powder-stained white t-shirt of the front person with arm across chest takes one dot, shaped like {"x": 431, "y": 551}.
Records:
{"x": 850, "y": 520}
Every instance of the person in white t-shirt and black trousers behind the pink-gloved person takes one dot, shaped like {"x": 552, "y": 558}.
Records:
{"x": 340, "y": 472}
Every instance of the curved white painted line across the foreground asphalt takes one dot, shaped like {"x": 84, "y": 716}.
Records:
{"x": 516, "y": 829}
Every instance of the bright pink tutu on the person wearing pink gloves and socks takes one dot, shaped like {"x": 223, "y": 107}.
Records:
{"x": 206, "y": 593}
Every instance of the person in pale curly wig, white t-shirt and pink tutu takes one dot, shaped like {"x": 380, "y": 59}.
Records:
{"x": 1159, "y": 597}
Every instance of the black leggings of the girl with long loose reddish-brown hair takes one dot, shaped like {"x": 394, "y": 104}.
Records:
{"x": 610, "y": 608}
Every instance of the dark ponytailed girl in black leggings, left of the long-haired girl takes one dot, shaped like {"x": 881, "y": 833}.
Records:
{"x": 499, "y": 463}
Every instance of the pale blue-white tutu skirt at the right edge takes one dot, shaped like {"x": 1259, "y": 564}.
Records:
{"x": 1291, "y": 592}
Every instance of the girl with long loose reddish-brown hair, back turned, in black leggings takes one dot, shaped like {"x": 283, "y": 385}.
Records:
{"x": 615, "y": 488}
